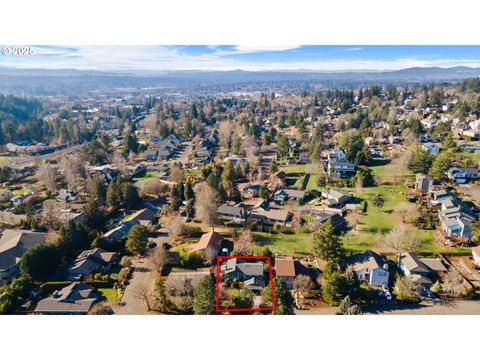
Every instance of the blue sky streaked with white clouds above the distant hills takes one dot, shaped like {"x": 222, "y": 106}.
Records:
{"x": 255, "y": 58}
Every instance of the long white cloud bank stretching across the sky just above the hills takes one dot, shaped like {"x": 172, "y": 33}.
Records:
{"x": 125, "y": 58}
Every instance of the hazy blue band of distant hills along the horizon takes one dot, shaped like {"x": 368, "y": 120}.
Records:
{"x": 69, "y": 81}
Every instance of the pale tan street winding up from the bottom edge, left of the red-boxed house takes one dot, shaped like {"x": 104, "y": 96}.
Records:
{"x": 144, "y": 274}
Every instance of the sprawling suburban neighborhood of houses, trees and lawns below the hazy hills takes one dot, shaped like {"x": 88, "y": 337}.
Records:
{"x": 363, "y": 200}
